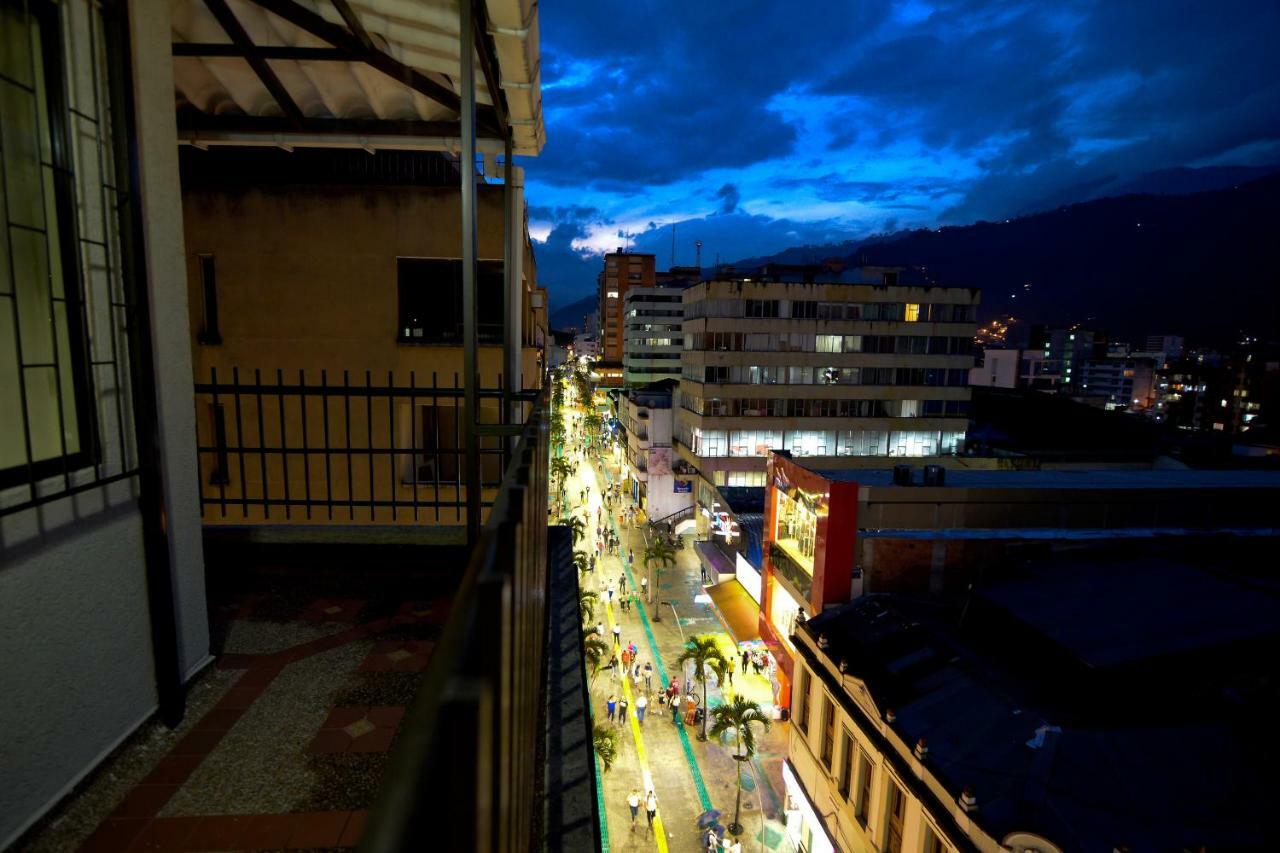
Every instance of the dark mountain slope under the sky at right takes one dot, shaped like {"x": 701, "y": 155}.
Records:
{"x": 1204, "y": 264}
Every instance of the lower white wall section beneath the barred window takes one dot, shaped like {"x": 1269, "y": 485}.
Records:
{"x": 75, "y": 646}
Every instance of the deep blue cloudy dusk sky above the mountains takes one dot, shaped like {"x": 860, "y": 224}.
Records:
{"x": 762, "y": 126}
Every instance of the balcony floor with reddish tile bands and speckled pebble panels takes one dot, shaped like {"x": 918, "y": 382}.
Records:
{"x": 287, "y": 737}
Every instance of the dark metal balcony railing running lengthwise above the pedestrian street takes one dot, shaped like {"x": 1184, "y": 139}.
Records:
{"x": 496, "y": 751}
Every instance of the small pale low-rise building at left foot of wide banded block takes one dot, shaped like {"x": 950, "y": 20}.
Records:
{"x": 655, "y": 473}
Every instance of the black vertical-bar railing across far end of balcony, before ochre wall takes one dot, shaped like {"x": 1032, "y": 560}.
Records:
{"x": 316, "y": 448}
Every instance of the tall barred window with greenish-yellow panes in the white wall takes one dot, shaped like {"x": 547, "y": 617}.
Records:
{"x": 45, "y": 425}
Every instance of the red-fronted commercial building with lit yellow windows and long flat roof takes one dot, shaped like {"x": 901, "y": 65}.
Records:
{"x": 831, "y": 536}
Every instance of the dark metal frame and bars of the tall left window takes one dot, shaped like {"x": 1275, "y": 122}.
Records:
{"x": 57, "y": 113}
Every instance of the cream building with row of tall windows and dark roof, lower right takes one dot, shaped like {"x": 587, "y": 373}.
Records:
{"x": 1086, "y": 705}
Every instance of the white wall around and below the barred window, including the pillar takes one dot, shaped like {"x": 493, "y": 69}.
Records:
{"x": 76, "y": 658}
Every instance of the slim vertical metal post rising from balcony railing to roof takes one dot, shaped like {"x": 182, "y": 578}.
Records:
{"x": 468, "y": 170}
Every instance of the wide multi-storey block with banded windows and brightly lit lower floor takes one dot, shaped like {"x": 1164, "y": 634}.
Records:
{"x": 867, "y": 362}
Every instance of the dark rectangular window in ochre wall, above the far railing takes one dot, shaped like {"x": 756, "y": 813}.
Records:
{"x": 431, "y": 300}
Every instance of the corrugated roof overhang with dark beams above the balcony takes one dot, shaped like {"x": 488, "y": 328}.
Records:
{"x": 355, "y": 74}
